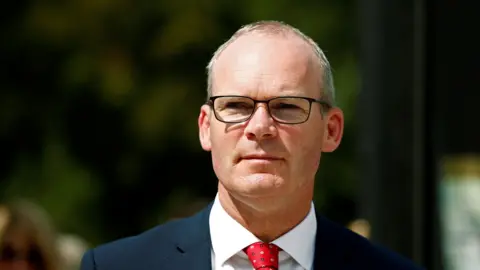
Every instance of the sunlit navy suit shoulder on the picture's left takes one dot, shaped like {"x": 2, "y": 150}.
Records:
{"x": 146, "y": 248}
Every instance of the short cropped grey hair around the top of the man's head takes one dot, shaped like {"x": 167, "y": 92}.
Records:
{"x": 279, "y": 28}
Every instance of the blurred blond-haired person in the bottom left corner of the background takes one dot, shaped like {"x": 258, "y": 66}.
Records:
{"x": 28, "y": 240}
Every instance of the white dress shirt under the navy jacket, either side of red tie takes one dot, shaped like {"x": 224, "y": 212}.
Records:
{"x": 229, "y": 238}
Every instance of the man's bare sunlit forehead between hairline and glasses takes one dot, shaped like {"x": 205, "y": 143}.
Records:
{"x": 265, "y": 66}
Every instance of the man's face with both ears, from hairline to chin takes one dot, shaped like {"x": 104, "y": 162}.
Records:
{"x": 260, "y": 157}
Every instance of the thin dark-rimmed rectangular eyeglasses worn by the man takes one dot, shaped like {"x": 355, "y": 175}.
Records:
{"x": 286, "y": 109}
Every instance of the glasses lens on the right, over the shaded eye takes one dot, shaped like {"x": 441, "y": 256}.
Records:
{"x": 290, "y": 110}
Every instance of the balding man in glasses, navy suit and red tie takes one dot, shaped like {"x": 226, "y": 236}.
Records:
{"x": 270, "y": 114}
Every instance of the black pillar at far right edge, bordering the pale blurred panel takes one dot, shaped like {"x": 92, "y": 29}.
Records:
{"x": 453, "y": 87}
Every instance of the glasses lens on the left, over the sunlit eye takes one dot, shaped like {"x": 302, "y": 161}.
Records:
{"x": 233, "y": 109}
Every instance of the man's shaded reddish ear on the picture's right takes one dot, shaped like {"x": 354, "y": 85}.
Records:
{"x": 334, "y": 122}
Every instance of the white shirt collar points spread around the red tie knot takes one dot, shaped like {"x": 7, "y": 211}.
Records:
{"x": 229, "y": 237}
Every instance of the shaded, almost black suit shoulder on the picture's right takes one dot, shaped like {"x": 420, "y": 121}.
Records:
{"x": 361, "y": 253}
